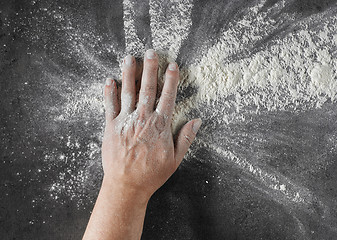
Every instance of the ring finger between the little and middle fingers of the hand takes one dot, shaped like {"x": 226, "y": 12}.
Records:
{"x": 128, "y": 93}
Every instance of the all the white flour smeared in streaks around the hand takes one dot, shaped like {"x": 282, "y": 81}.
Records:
{"x": 240, "y": 75}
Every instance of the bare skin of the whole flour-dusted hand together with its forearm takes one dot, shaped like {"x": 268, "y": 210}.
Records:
{"x": 139, "y": 152}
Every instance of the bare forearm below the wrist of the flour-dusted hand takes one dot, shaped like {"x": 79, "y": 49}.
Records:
{"x": 118, "y": 214}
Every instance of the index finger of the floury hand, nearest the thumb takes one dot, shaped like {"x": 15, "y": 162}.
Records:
{"x": 169, "y": 92}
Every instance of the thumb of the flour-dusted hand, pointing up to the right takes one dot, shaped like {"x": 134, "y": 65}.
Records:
{"x": 185, "y": 138}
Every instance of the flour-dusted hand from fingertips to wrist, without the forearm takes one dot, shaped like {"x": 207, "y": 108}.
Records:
{"x": 138, "y": 150}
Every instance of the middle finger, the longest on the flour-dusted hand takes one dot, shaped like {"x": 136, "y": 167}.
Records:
{"x": 148, "y": 89}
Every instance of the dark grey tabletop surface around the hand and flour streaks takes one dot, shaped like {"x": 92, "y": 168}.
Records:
{"x": 207, "y": 198}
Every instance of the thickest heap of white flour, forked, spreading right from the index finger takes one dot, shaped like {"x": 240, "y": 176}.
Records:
{"x": 294, "y": 72}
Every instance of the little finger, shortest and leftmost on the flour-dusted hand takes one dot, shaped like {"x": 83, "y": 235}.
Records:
{"x": 111, "y": 102}
